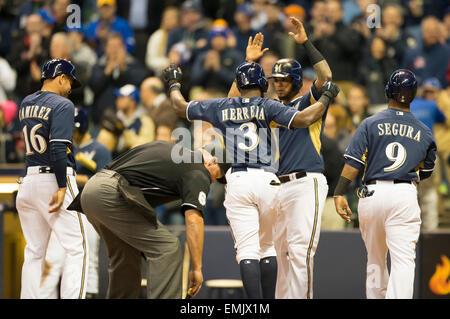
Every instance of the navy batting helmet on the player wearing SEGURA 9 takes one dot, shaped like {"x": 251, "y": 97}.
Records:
{"x": 402, "y": 86}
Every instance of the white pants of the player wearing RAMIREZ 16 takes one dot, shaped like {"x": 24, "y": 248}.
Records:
{"x": 32, "y": 204}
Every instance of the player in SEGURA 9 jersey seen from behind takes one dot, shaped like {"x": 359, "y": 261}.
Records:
{"x": 396, "y": 151}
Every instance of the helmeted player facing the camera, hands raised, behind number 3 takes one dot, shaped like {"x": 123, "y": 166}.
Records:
{"x": 303, "y": 186}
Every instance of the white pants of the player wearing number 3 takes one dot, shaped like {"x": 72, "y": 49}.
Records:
{"x": 251, "y": 203}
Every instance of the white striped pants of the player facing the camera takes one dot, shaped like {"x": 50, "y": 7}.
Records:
{"x": 297, "y": 232}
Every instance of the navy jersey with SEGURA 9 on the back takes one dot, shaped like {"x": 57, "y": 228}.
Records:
{"x": 392, "y": 145}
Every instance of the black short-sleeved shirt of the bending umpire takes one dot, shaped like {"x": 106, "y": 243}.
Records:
{"x": 149, "y": 171}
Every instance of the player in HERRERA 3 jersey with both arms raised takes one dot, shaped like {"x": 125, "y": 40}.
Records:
{"x": 252, "y": 187}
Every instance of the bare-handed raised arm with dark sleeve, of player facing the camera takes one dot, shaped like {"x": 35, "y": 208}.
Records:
{"x": 320, "y": 65}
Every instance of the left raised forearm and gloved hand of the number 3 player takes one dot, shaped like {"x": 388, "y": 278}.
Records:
{"x": 172, "y": 77}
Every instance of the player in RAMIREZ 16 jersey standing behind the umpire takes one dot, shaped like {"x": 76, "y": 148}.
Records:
{"x": 47, "y": 121}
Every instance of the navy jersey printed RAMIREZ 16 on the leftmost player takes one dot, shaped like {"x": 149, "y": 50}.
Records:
{"x": 45, "y": 117}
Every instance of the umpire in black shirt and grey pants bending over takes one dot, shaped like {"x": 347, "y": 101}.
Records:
{"x": 119, "y": 202}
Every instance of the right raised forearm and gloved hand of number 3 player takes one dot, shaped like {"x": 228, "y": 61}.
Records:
{"x": 314, "y": 112}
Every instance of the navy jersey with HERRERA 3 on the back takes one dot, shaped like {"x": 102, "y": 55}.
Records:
{"x": 245, "y": 123}
